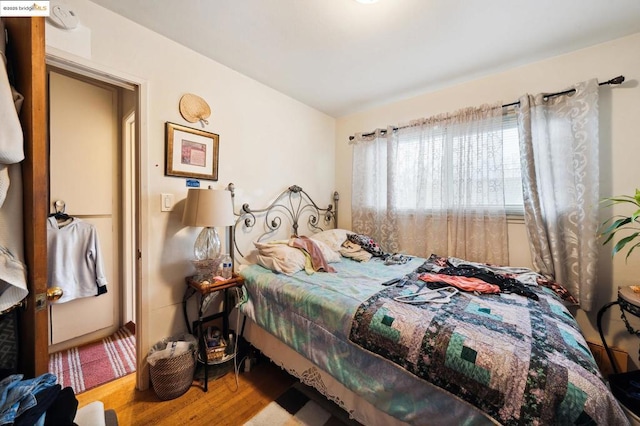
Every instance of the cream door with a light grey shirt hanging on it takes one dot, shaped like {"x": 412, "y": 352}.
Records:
{"x": 84, "y": 159}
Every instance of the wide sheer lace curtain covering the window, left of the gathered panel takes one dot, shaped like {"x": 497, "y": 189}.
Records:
{"x": 434, "y": 186}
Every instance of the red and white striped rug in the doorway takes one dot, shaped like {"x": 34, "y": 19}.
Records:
{"x": 85, "y": 367}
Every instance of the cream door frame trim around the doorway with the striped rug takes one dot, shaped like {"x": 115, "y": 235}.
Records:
{"x": 136, "y": 227}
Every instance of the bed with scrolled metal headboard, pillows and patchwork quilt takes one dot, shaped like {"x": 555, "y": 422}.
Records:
{"x": 388, "y": 356}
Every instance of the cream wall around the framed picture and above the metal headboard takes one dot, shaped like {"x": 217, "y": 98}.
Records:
{"x": 268, "y": 142}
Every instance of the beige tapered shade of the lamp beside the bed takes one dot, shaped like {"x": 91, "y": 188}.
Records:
{"x": 208, "y": 207}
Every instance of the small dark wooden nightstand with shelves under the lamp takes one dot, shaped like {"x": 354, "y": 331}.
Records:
{"x": 203, "y": 290}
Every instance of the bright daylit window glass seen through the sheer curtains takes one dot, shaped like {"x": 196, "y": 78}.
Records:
{"x": 433, "y": 158}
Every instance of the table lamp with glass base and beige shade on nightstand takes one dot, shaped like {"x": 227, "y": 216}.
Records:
{"x": 208, "y": 208}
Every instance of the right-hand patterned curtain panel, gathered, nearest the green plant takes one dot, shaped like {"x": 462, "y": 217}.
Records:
{"x": 559, "y": 157}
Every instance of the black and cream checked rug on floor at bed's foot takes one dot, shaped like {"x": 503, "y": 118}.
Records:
{"x": 301, "y": 405}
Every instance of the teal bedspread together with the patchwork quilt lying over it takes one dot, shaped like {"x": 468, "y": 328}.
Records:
{"x": 477, "y": 360}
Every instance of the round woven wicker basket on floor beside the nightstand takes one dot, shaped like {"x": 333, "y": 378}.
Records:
{"x": 172, "y": 377}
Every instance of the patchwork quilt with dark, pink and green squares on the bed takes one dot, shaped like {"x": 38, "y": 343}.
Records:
{"x": 519, "y": 360}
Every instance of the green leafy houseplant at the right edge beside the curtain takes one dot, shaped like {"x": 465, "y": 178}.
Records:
{"x": 622, "y": 223}
